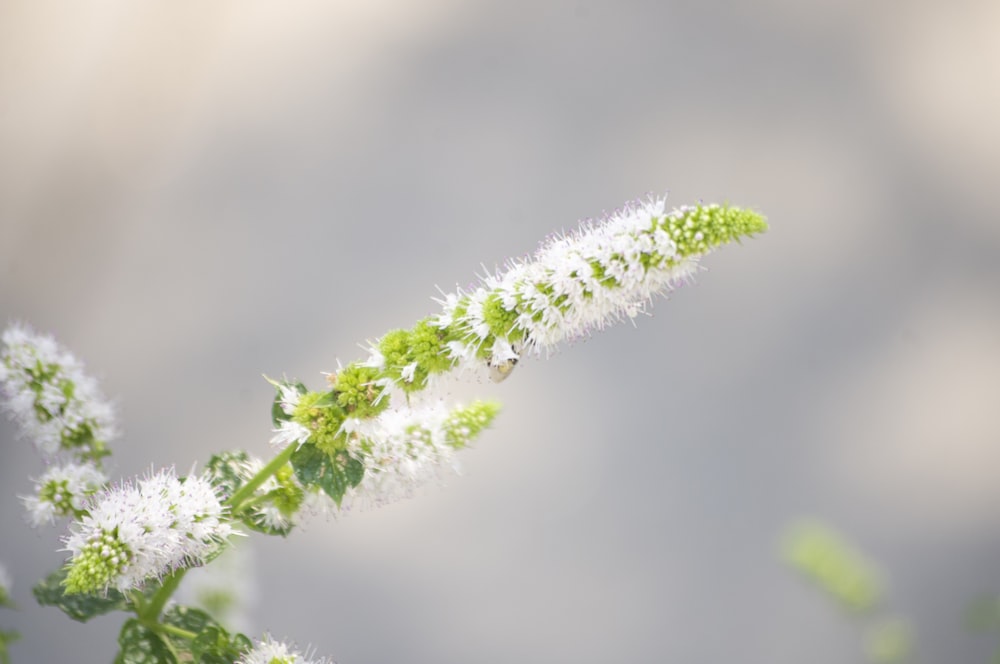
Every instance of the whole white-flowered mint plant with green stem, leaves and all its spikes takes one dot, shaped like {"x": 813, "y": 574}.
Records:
{"x": 372, "y": 436}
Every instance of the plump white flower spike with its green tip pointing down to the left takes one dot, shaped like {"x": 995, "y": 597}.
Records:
{"x": 143, "y": 530}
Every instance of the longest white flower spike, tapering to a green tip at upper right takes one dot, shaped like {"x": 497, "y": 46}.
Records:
{"x": 573, "y": 285}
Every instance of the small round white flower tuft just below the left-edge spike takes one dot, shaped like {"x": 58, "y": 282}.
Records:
{"x": 63, "y": 491}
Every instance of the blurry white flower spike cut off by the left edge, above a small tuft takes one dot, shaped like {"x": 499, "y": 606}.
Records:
{"x": 54, "y": 403}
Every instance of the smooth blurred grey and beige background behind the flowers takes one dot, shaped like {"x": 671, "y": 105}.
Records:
{"x": 193, "y": 194}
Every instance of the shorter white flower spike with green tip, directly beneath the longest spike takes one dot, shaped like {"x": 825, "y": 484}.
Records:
{"x": 405, "y": 448}
